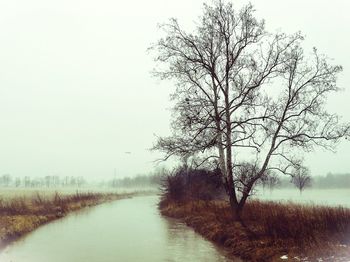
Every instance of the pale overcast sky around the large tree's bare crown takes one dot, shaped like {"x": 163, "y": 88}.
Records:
{"x": 76, "y": 91}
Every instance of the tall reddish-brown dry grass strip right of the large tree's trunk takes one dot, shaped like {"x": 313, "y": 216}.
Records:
{"x": 301, "y": 223}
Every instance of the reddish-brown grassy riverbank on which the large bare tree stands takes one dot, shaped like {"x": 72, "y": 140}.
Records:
{"x": 275, "y": 230}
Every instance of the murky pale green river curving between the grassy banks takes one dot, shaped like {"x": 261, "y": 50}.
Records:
{"x": 124, "y": 230}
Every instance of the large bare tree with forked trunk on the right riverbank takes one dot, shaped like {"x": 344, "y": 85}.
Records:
{"x": 228, "y": 72}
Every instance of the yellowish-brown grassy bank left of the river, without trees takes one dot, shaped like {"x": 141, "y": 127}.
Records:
{"x": 21, "y": 215}
